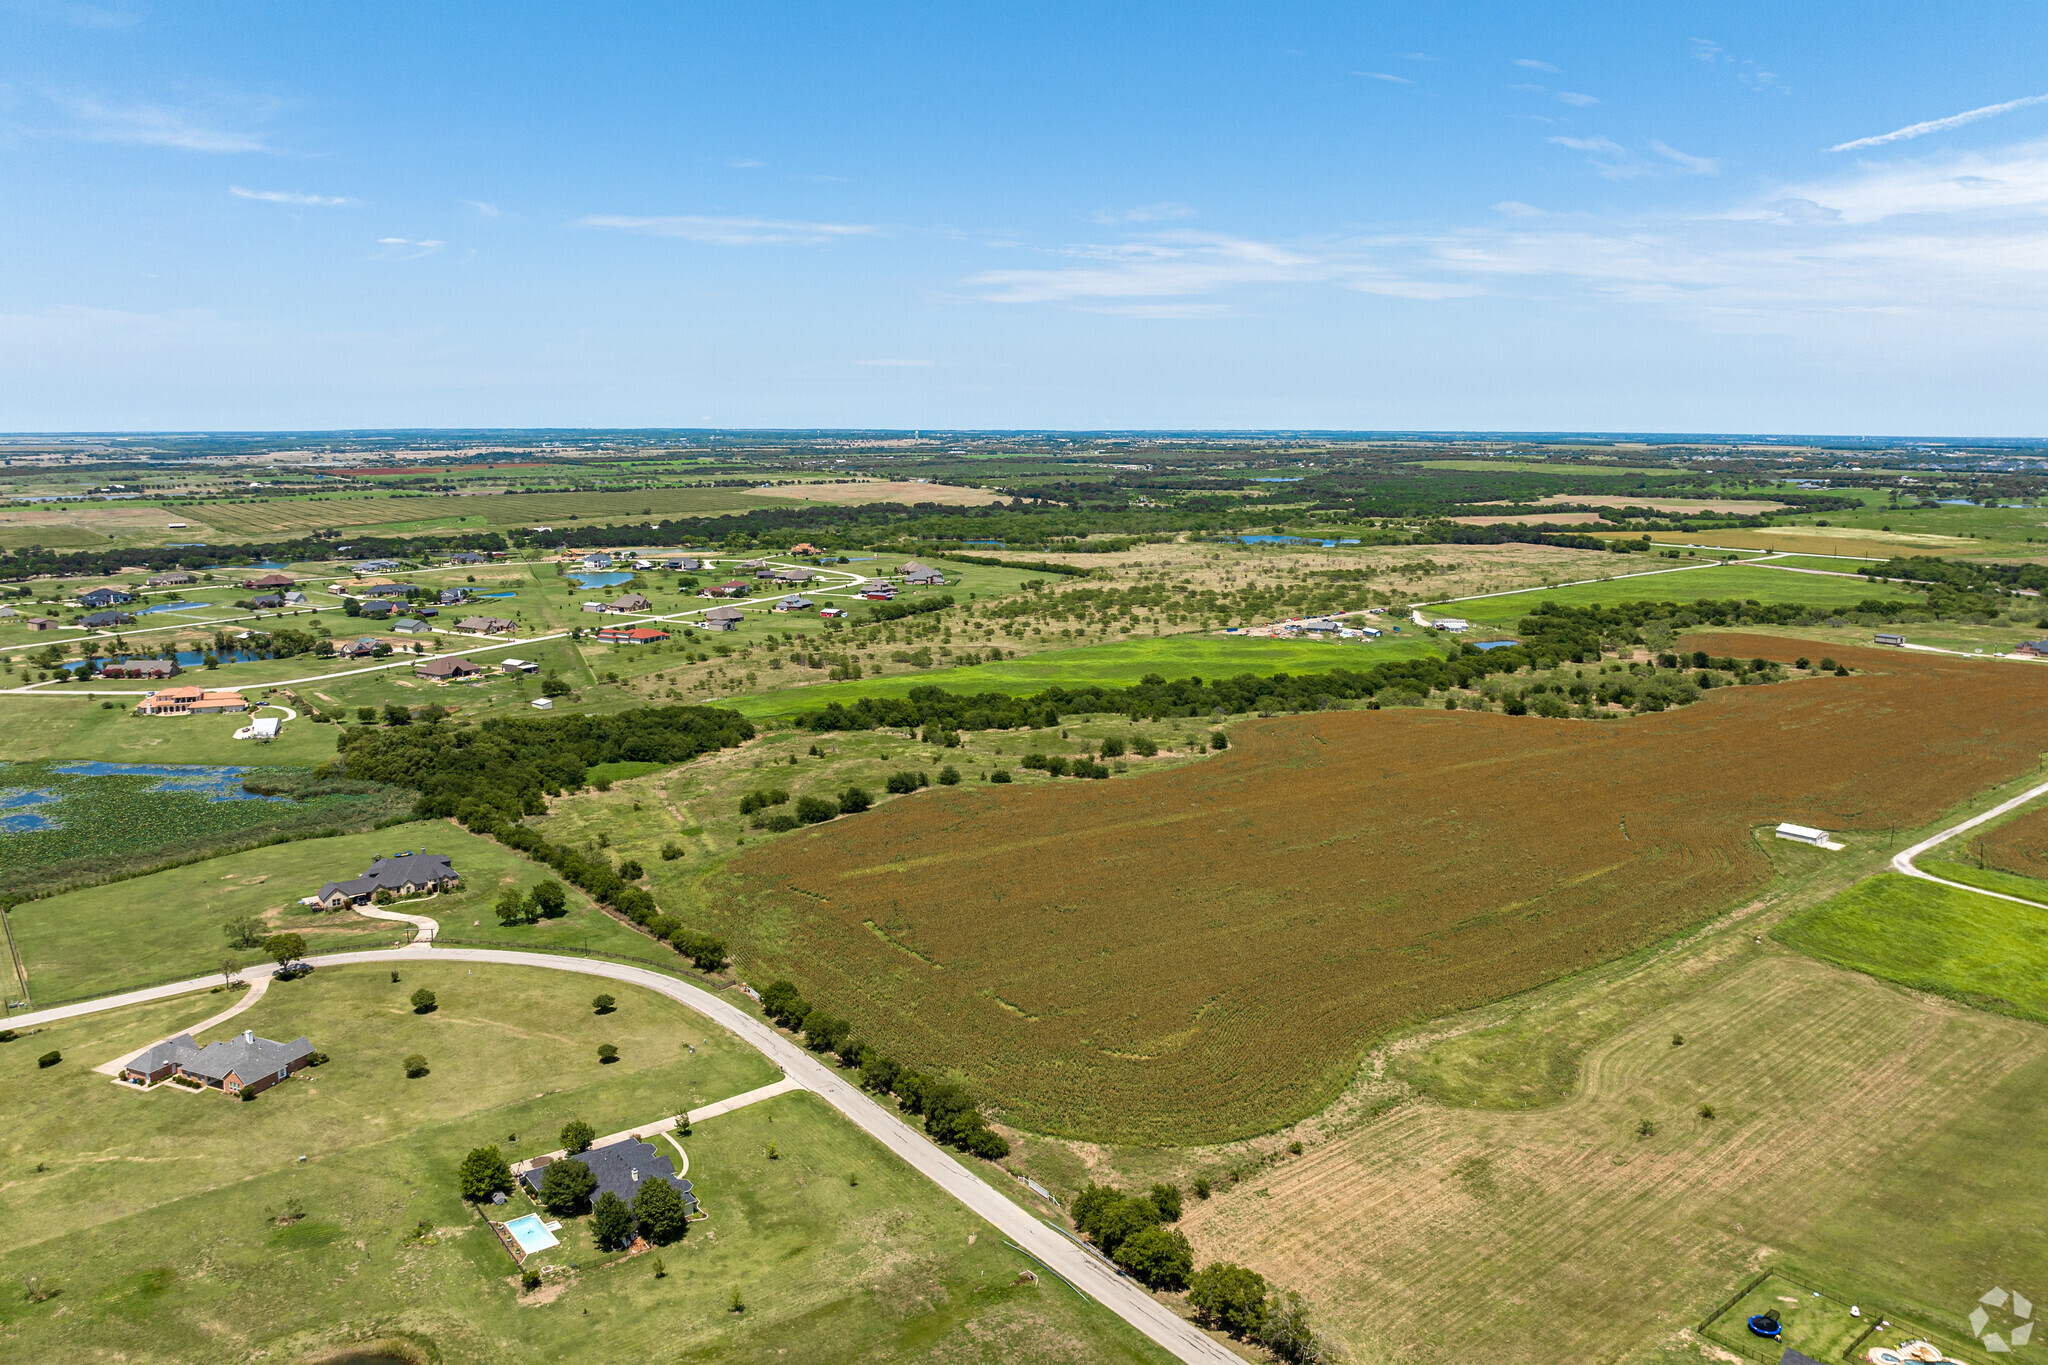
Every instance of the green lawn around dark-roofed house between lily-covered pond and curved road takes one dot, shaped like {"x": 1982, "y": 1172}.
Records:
{"x": 167, "y": 926}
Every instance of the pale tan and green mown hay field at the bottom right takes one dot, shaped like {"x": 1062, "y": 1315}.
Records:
{"x": 1867, "y": 1141}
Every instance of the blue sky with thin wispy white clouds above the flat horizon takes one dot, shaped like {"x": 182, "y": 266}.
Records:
{"x": 1744, "y": 218}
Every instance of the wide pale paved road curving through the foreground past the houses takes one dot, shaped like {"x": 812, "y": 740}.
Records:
{"x": 1080, "y": 1268}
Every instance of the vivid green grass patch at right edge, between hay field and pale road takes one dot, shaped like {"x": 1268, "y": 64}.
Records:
{"x": 1934, "y": 938}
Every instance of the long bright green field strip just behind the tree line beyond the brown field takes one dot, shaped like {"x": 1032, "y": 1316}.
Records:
{"x": 1111, "y": 666}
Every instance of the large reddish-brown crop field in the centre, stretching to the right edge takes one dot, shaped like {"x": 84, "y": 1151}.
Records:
{"x": 1205, "y": 953}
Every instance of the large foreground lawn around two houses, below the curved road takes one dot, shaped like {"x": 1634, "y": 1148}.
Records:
{"x": 155, "y": 1213}
